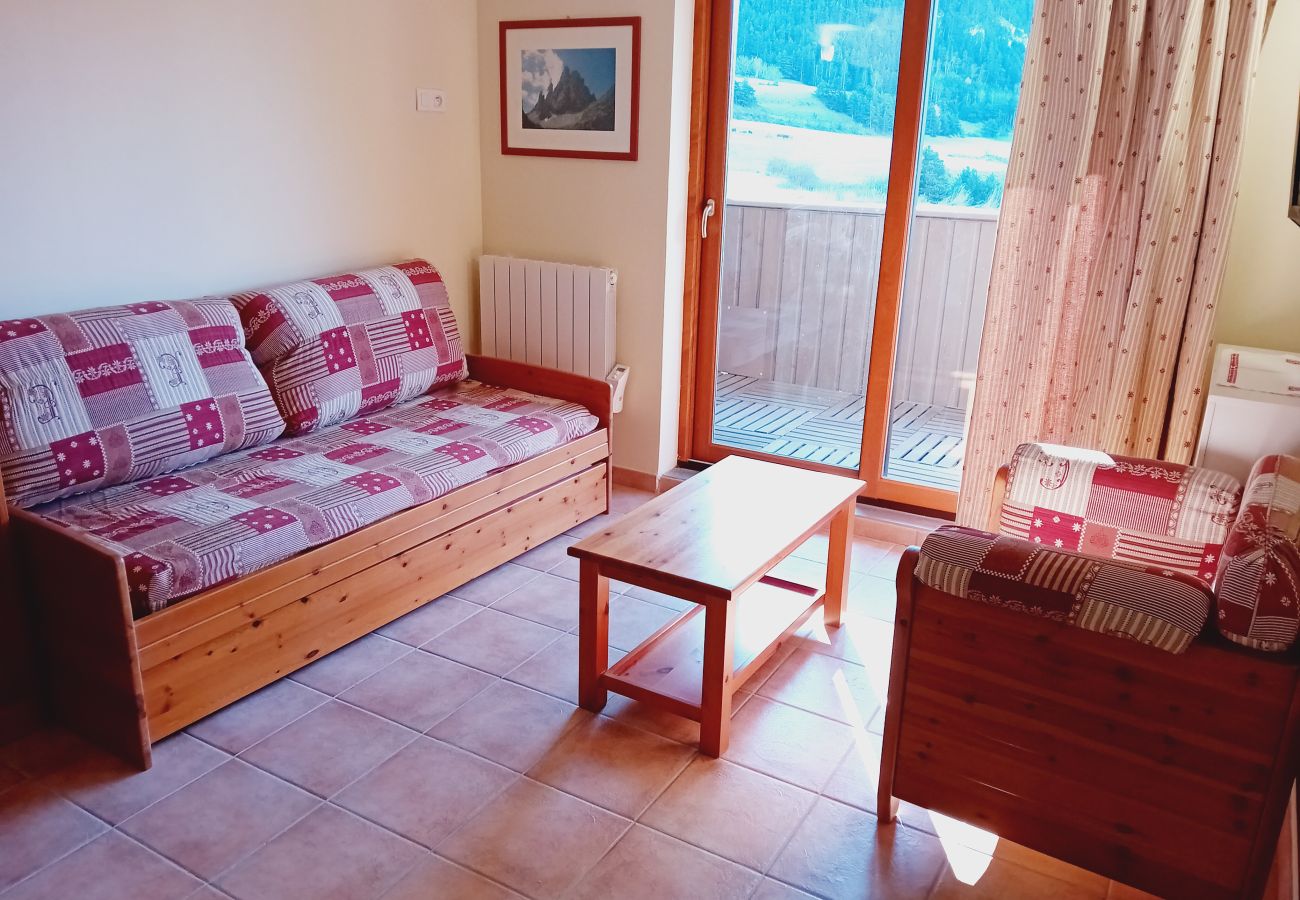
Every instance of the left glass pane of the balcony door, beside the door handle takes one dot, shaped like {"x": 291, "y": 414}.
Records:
{"x": 808, "y": 165}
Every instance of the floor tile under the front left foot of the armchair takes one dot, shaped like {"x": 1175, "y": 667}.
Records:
{"x": 839, "y": 853}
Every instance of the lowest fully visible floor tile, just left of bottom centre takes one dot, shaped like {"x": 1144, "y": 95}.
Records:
{"x": 535, "y": 840}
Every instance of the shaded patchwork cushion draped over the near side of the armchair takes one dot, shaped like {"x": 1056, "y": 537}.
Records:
{"x": 1150, "y": 605}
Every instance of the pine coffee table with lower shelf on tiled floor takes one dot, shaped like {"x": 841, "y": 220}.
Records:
{"x": 712, "y": 540}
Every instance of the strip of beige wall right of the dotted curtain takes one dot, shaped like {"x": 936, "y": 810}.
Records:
{"x": 1260, "y": 301}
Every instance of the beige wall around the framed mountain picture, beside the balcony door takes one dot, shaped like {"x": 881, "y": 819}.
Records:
{"x": 601, "y": 213}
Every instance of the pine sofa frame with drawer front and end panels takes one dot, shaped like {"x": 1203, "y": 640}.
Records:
{"x": 127, "y": 683}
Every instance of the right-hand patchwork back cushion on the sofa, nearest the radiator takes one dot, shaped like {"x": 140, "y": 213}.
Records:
{"x": 353, "y": 344}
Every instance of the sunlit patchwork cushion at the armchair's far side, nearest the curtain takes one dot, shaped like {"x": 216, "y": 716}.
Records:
{"x": 1128, "y": 509}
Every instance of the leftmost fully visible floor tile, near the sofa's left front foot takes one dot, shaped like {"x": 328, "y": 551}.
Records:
{"x": 214, "y": 823}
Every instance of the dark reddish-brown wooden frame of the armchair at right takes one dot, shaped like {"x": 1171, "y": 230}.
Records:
{"x": 1168, "y": 773}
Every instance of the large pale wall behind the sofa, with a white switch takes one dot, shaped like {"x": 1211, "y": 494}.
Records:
{"x": 153, "y": 149}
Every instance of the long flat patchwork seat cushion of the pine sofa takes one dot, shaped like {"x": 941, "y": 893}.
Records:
{"x": 235, "y": 516}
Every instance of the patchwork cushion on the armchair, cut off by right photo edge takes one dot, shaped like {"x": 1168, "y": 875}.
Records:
{"x": 1259, "y": 589}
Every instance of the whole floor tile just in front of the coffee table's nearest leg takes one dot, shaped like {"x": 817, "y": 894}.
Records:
{"x": 730, "y": 811}
